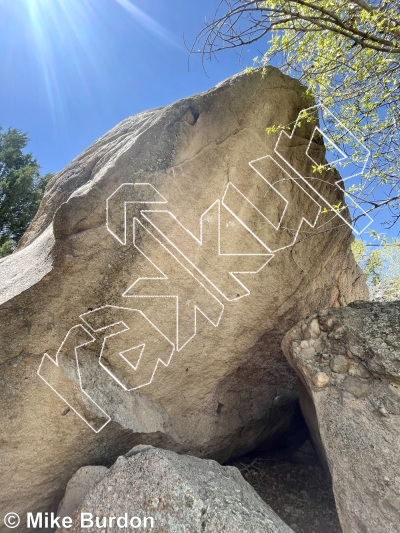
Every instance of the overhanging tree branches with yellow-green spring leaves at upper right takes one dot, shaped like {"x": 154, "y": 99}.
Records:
{"x": 348, "y": 55}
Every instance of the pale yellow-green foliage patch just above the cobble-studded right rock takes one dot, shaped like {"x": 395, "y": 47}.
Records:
{"x": 381, "y": 266}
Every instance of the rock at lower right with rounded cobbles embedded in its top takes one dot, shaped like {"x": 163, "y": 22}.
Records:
{"x": 348, "y": 360}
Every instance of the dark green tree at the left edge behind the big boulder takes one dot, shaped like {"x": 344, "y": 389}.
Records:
{"x": 21, "y": 188}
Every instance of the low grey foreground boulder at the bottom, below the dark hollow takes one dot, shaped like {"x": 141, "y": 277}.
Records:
{"x": 182, "y": 494}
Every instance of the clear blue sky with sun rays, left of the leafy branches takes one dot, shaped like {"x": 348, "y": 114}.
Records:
{"x": 72, "y": 69}
